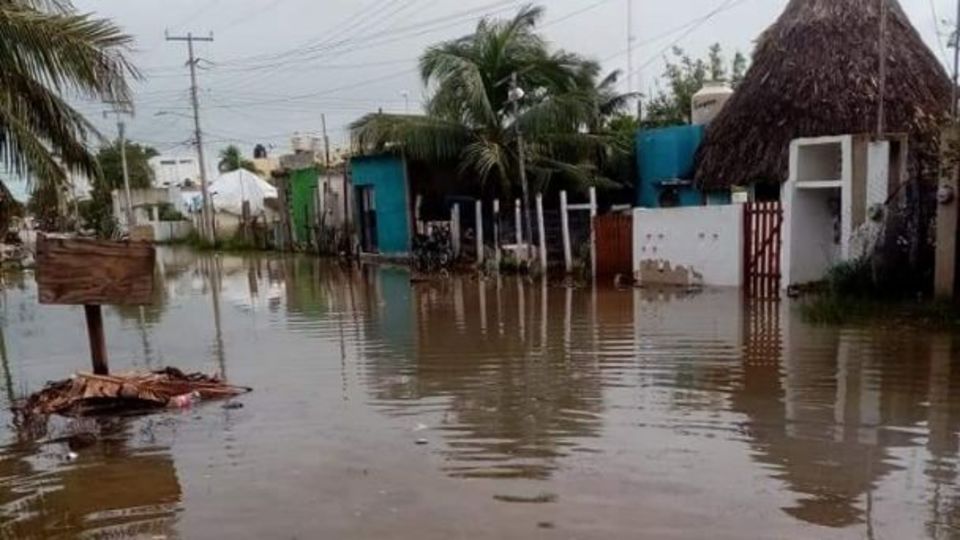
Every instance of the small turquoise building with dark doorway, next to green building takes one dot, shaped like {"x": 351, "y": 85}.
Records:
{"x": 382, "y": 202}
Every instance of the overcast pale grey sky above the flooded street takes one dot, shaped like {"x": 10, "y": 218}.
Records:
{"x": 276, "y": 65}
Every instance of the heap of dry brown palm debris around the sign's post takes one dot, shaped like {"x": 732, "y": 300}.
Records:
{"x": 87, "y": 394}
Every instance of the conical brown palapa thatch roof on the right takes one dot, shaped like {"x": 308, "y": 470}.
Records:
{"x": 815, "y": 72}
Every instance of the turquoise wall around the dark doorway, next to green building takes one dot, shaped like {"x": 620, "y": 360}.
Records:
{"x": 387, "y": 176}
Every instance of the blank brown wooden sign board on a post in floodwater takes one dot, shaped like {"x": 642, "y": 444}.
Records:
{"x": 92, "y": 273}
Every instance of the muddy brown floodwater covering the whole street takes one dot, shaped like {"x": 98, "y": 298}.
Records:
{"x": 481, "y": 409}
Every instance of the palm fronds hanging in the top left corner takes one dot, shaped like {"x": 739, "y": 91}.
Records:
{"x": 50, "y": 54}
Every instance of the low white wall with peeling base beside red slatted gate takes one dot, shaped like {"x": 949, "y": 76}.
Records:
{"x": 704, "y": 241}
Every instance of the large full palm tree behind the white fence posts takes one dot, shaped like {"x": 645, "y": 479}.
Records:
{"x": 470, "y": 117}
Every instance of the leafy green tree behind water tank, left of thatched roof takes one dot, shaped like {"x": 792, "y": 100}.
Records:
{"x": 684, "y": 77}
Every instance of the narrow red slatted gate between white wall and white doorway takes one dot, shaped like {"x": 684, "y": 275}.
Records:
{"x": 762, "y": 228}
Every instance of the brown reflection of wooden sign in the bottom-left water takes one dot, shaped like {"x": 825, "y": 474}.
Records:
{"x": 120, "y": 485}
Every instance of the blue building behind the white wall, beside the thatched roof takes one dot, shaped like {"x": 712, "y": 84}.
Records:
{"x": 665, "y": 161}
